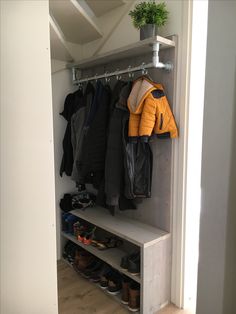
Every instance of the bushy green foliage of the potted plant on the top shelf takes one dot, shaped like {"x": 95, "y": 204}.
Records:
{"x": 149, "y": 13}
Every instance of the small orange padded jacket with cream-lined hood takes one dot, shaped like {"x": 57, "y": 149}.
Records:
{"x": 150, "y": 111}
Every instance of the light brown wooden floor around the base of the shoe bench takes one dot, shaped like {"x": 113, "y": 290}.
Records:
{"x": 79, "y": 296}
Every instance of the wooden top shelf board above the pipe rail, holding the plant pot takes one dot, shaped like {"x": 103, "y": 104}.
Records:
{"x": 129, "y": 51}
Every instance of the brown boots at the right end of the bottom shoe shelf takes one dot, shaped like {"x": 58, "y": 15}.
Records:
{"x": 131, "y": 294}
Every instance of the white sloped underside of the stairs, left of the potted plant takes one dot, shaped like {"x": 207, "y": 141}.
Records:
{"x": 74, "y": 23}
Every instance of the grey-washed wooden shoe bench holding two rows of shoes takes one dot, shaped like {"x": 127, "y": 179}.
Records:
{"x": 154, "y": 245}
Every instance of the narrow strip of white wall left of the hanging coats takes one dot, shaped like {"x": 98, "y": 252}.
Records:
{"x": 61, "y": 86}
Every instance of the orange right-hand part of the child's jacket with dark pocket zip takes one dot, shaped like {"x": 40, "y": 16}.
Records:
{"x": 165, "y": 121}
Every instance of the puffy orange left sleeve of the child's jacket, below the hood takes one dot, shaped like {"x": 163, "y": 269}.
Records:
{"x": 148, "y": 118}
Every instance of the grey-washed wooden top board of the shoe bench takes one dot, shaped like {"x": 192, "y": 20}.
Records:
{"x": 126, "y": 228}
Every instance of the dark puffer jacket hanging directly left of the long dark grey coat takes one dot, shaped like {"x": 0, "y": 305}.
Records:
{"x": 92, "y": 162}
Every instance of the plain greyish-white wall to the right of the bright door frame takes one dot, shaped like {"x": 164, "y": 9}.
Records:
{"x": 217, "y": 227}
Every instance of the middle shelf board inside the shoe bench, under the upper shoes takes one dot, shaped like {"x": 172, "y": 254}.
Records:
{"x": 110, "y": 256}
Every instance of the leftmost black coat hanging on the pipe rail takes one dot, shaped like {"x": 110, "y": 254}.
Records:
{"x": 71, "y": 105}
